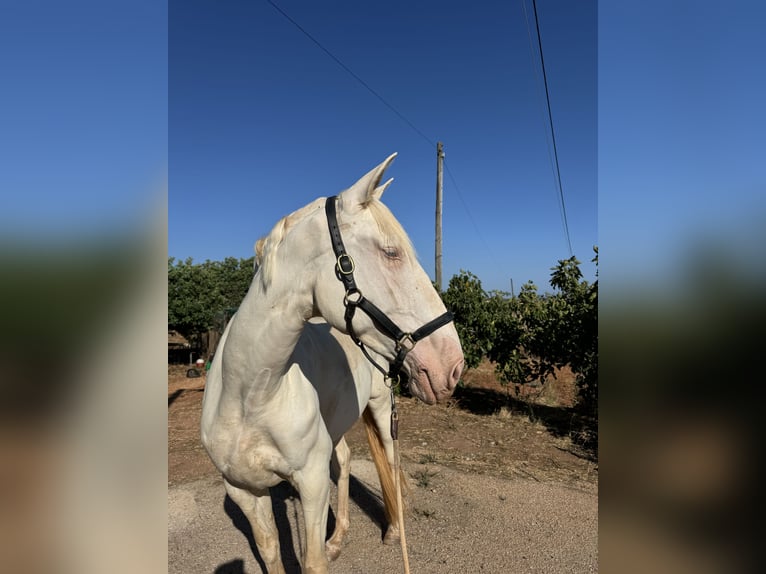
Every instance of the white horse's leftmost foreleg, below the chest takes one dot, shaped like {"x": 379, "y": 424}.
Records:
{"x": 256, "y": 506}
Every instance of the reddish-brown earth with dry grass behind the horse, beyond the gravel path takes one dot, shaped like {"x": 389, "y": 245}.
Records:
{"x": 483, "y": 430}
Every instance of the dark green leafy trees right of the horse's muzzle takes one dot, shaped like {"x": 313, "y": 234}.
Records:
{"x": 529, "y": 336}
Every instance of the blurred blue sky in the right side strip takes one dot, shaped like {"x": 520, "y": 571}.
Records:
{"x": 681, "y": 145}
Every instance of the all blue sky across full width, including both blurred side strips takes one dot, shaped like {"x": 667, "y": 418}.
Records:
{"x": 249, "y": 119}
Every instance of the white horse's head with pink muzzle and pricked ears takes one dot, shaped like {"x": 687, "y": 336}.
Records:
{"x": 386, "y": 274}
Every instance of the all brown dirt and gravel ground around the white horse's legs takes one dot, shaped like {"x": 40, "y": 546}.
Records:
{"x": 500, "y": 480}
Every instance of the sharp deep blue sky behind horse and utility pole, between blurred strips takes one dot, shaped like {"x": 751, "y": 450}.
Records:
{"x": 262, "y": 121}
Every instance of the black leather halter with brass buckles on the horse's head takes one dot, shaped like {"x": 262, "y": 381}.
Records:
{"x": 344, "y": 270}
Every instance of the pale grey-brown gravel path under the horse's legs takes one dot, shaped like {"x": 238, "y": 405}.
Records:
{"x": 458, "y": 523}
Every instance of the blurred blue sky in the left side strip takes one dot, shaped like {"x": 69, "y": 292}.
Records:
{"x": 83, "y": 120}
